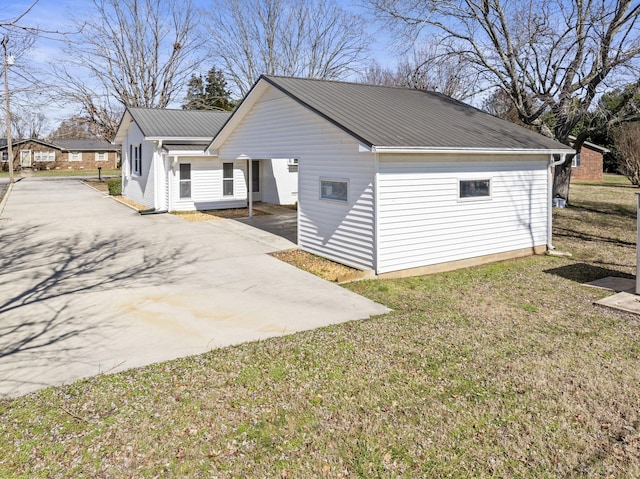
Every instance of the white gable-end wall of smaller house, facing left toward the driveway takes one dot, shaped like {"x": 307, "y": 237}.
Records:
{"x": 139, "y": 188}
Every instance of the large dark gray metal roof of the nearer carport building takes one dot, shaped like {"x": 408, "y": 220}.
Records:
{"x": 400, "y": 117}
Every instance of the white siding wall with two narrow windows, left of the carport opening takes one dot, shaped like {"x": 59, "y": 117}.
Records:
{"x": 206, "y": 185}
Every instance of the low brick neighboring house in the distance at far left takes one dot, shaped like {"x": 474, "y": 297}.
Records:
{"x": 61, "y": 154}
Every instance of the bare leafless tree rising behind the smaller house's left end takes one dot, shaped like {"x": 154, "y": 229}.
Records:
{"x": 130, "y": 53}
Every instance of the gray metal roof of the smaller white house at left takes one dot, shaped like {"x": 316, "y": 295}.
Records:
{"x": 179, "y": 123}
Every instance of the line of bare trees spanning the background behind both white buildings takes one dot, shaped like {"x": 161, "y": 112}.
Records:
{"x": 568, "y": 69}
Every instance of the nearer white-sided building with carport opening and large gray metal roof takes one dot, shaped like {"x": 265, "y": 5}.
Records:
{"x": 392, "y": 179}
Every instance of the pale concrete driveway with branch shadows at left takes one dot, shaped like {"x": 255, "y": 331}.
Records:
{"x": 88, "y": 286}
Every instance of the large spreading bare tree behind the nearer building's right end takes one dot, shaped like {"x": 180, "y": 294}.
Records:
{"x": 551, "y": 57}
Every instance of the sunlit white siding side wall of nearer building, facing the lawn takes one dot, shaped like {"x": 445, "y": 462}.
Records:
{"x": 422, "y": 221}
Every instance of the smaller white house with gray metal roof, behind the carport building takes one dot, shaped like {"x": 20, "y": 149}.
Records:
{"x": 165, "y": 166}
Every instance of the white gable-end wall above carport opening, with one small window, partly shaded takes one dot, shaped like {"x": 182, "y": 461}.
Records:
{"x": 278, "y": 127}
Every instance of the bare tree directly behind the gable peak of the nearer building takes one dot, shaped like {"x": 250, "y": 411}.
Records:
{"x": 303, "y": 38}
